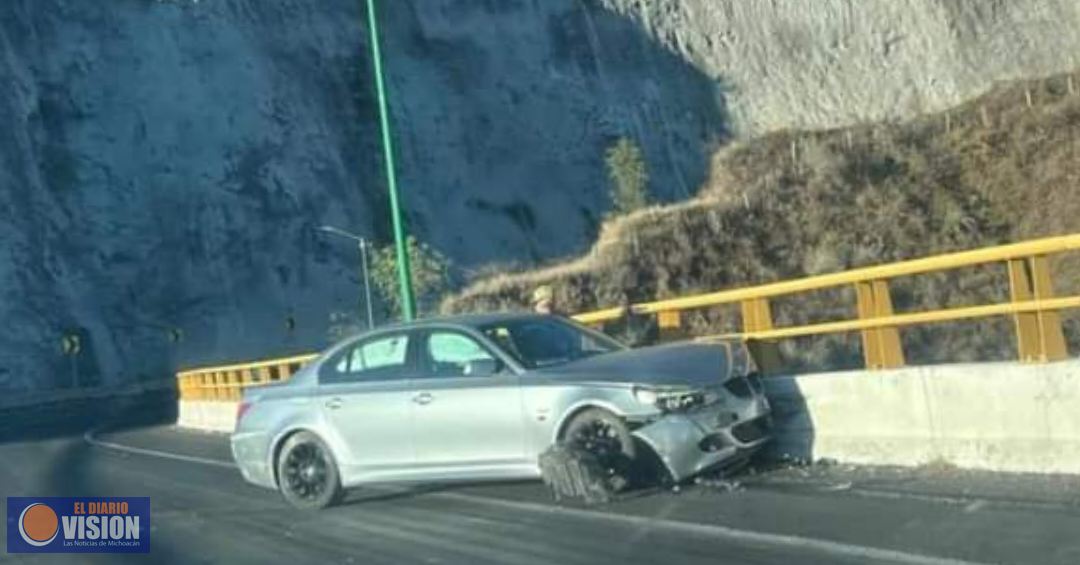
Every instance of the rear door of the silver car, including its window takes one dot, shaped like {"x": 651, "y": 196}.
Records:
{"x": 364, "y": 392}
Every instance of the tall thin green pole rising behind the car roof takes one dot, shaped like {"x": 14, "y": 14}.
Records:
{"x": 404, "y": 275}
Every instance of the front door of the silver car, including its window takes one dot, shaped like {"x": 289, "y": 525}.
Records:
{"x": 467, "y": 407}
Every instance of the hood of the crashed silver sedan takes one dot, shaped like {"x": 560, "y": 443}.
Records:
{"x": 678, "y": 365}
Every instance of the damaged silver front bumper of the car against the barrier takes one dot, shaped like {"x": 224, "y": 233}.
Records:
{"x": 723, "y": 434}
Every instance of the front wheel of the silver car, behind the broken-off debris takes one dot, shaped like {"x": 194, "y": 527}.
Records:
{"x": 607, "y": 438}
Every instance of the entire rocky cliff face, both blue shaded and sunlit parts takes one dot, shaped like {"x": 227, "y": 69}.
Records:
{"x": 164, "y": 164}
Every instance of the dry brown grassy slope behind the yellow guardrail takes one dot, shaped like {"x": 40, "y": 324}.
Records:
{"x": 800, "y": 204}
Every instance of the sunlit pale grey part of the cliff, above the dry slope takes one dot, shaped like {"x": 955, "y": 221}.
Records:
{"x": 831, "y": 63}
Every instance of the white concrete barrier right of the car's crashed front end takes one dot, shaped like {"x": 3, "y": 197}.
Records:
{"x": 995, "y": 416}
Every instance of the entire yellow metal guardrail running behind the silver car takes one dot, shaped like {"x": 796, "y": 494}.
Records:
{"x": 1033, "y": 306}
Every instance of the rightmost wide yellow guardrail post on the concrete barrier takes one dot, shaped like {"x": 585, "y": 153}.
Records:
{"x": 1039, "y": 337}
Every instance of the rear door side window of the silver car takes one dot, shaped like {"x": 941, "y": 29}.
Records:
{"x": 377, "y": 359}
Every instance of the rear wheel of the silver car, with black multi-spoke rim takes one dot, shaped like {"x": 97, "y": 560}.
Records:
{"x": 307, "y": 476}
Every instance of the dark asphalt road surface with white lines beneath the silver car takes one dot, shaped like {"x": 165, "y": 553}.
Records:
{"x": 204, "y": 513}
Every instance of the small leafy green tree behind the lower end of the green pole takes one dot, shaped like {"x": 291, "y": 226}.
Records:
{"x": 431, "y": 276}
